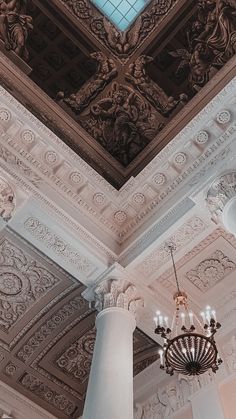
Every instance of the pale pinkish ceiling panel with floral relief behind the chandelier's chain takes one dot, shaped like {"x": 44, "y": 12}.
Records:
{"x": 205, "y": 266}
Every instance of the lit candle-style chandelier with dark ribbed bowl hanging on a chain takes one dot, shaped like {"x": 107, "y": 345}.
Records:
{"x": 189, "y": 347}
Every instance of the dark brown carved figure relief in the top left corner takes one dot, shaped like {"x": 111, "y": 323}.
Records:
{"x": 15, "y": 25}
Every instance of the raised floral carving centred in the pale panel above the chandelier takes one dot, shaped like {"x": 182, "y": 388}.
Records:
{"x": 211, "y": 270}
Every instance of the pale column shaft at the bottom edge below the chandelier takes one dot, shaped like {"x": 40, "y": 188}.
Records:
{"x": 206, "y": 404}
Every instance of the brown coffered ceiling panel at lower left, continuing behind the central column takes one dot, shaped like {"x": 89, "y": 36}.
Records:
{"x": 47, "y": 330}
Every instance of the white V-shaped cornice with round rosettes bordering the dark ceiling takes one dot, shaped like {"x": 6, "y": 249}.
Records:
{"x": 35, "y": 156}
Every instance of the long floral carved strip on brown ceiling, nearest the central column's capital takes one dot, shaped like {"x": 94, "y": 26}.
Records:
{"x": 60, "y": 317}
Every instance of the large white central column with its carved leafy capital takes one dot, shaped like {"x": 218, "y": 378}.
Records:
{"x": 110, "y": 387}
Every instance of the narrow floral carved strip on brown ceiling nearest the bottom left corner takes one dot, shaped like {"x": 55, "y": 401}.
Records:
{"x": 44, "y": 392}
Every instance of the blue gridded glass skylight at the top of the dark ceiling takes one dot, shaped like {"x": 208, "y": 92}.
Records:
{"x": 122, "y": 13}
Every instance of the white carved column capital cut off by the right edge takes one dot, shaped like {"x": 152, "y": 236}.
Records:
{"x": 221, "y": 195}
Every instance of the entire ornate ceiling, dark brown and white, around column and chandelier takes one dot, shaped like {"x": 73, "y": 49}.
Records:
{"x": 109, "y": 141}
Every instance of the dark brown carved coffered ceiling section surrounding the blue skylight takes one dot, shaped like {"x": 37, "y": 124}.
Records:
{"x": 125, "y": 93}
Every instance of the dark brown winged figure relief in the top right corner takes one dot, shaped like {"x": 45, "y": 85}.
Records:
{"x": 211, "y": 39}
